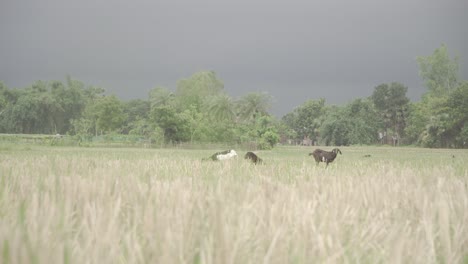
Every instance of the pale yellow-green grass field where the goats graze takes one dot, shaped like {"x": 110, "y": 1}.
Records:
{"x": 116, "y": 205}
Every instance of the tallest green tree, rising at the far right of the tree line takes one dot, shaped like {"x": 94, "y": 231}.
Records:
{"x": 438, "y": 109}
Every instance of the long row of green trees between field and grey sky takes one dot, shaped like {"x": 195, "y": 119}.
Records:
{"x": 200, "y": 110}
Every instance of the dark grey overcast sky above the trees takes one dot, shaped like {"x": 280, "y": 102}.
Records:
{"x": 294, "y": 50}
